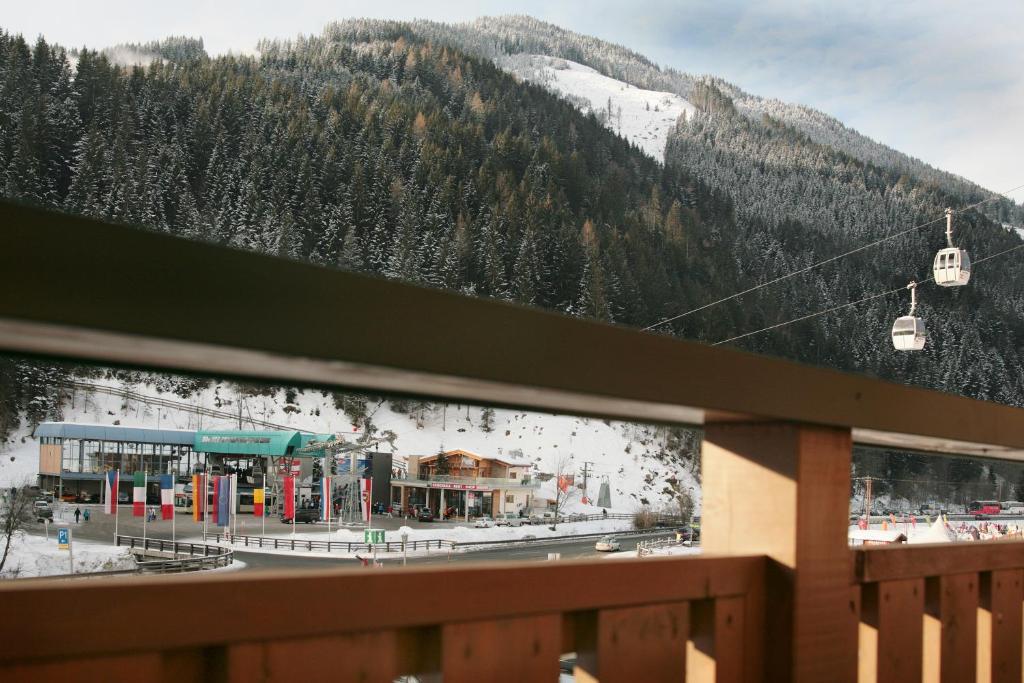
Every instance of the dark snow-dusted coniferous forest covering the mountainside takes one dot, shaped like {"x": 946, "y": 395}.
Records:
{"x": 399, "y": 152}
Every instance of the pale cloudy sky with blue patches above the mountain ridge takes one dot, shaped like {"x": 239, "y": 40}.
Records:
{"x": 943, "y": 80}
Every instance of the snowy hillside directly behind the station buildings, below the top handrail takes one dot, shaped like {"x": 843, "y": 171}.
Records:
{"x": 628, "y": 456}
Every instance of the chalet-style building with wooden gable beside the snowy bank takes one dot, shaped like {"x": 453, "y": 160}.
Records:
{"x": 466, "y": 485}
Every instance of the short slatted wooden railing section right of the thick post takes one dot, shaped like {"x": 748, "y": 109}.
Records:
{"x": 942, "y": 613}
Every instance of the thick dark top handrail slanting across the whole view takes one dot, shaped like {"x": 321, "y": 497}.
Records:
{"x": 428, "y": 343}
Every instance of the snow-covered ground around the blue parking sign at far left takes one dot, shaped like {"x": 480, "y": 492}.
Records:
{"x": 37, "y": 557}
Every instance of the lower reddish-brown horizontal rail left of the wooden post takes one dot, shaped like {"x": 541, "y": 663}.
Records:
{"x": 414, "y": 599}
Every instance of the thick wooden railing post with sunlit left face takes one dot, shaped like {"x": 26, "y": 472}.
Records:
{"x": 783, "y": 491}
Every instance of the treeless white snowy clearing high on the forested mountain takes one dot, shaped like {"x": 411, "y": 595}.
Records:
{"x": 643, "y": 117}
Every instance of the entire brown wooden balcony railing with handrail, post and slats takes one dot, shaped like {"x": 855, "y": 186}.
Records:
{"x": 778, "y": 595}
